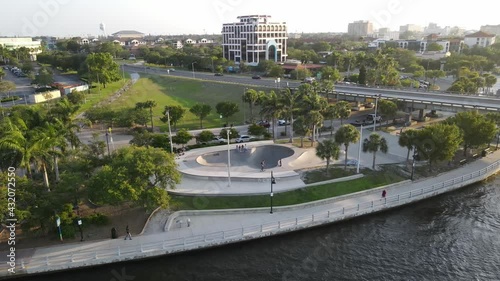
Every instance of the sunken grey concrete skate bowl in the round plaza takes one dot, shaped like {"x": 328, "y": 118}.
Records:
{"x": 252, "y": 158}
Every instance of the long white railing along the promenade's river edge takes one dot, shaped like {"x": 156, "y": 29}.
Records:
{"x": 248, "y": 232}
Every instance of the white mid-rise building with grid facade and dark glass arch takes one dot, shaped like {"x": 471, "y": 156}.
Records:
{"x": 255, "y": 38}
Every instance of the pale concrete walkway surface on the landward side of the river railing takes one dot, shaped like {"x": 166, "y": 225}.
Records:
{"x": 203, "y": 224}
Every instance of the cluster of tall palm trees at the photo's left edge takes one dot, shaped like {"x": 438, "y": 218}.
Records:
{"x": 34, "y": 138}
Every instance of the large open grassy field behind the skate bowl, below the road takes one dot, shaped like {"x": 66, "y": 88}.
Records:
{"x": 186, "y": 93}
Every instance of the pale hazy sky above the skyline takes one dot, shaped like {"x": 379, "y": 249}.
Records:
{"x": 68, "y": 18}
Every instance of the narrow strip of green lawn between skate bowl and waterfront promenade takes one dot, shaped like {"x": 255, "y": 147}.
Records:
{"x": 371, "y": 180}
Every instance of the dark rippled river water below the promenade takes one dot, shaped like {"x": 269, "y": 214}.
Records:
{"x": 455, "y": 236}
